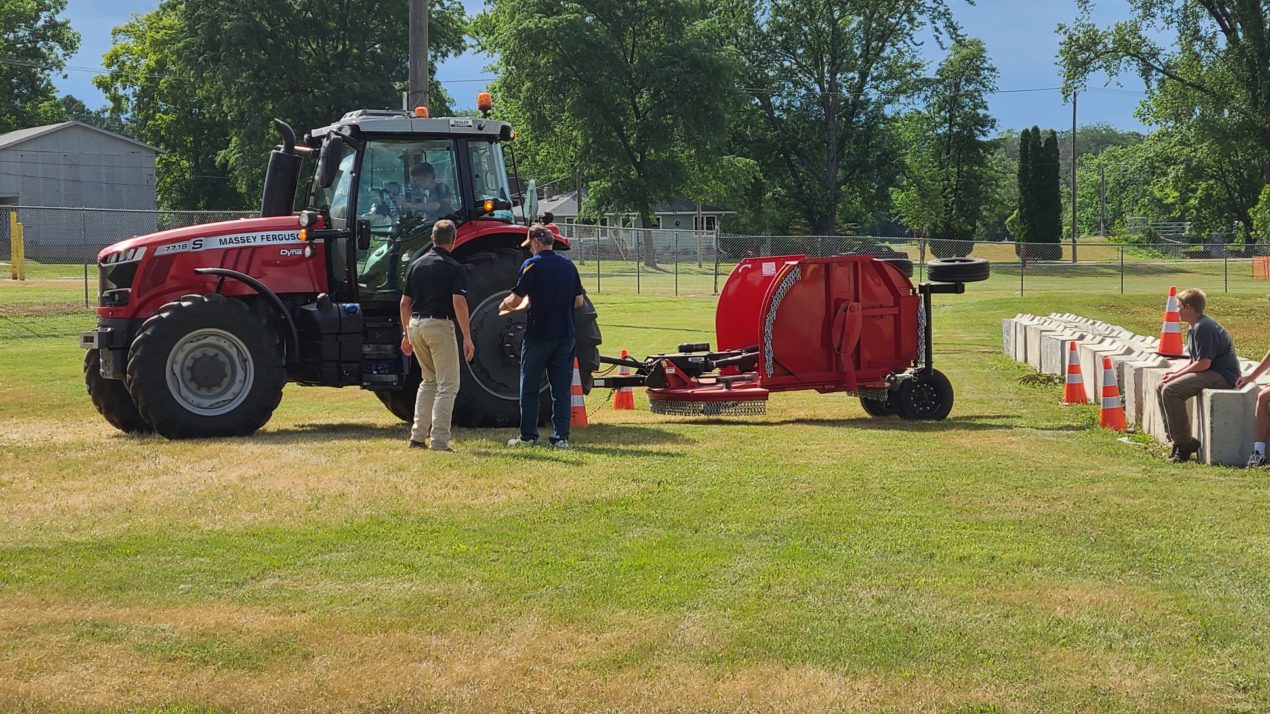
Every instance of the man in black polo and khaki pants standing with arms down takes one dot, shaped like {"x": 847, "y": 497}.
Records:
{"x": 435, "y": 298}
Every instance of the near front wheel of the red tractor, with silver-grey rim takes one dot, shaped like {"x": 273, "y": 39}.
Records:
{"x": 205, "y": 367}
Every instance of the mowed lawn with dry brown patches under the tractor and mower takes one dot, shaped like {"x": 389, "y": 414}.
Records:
{"x": 1012, "y": 558}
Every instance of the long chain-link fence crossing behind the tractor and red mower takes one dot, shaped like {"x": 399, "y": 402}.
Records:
{"x": 62, "y": 247}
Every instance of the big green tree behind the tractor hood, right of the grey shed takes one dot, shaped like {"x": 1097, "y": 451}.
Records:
{"x": 203, "y": 81}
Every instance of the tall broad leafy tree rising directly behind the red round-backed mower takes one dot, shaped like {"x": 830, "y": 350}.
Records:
{"x": 822, "y": 77}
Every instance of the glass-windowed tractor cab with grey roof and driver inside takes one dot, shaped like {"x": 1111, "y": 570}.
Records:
{"x": 385, "y": 178}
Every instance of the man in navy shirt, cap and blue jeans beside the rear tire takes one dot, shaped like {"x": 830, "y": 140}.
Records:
{"x": 554, "y": 290}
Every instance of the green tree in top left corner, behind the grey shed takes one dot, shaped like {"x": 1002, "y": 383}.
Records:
{"x": 35, "y": 43}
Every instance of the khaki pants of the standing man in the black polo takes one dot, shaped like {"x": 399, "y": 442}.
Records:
{"x": 438, "y": 351}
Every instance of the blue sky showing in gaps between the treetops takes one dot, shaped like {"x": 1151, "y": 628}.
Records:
{"x": 1019, "y": 34}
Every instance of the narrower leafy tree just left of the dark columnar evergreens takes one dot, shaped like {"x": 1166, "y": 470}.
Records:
{"x": 948, "y": 180}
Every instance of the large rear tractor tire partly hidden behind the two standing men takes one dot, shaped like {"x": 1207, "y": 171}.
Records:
{"x": 490, "y": 389}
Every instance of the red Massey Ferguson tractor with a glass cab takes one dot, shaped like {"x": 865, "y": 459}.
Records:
{"x": 200, "y": 328}
